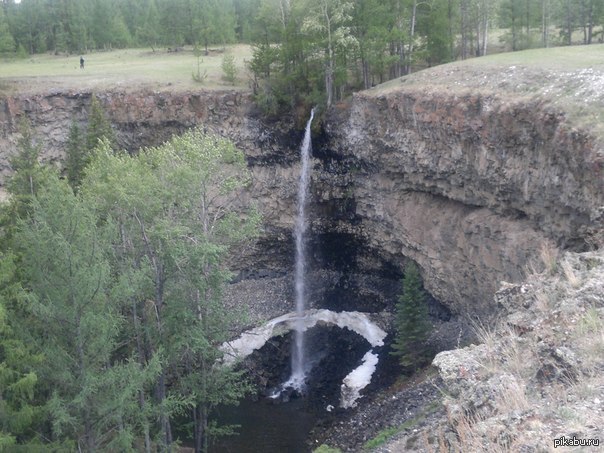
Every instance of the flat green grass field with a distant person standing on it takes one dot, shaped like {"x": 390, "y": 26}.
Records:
{"x": 123, "y": 69}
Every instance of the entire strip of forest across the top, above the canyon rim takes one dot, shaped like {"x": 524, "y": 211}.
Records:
{"x": 317, "y": 49}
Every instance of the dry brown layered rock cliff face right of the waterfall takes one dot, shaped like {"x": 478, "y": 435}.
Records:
{"x": 470, "y": 187}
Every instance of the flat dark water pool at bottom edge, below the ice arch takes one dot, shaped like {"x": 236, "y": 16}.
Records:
{"x": 266, "y": 427}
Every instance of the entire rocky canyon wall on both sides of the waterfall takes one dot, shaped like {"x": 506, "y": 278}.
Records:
{"x": 469, "y": 187}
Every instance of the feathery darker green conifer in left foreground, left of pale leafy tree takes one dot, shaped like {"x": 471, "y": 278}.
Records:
{"x": 76, "y": 323}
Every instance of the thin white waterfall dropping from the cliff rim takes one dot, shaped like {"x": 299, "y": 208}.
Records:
{"x": 298, "y": 360}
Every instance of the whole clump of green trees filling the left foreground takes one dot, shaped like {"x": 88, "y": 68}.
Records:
{"x": 111, "y": 280}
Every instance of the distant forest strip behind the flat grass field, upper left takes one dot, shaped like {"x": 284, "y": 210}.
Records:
{"x": 78, "y": 26}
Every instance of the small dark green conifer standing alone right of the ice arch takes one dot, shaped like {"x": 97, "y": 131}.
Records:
{"x": 412, "y": 324}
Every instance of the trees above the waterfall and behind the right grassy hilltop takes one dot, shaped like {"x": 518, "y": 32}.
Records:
{"x": 318, "y": 51}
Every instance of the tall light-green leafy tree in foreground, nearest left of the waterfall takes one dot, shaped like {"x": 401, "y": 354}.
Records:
{"x": 173, "y": 207}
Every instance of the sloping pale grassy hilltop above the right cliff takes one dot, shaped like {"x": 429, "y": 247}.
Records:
{"x": 570, "y": 79}
